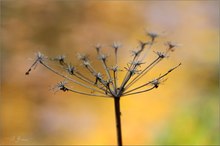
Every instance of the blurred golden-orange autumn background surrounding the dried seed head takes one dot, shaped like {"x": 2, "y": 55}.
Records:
{"x": 184, "y": 110}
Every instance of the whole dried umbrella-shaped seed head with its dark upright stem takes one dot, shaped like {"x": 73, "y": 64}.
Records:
{"x": 108, "y": 85}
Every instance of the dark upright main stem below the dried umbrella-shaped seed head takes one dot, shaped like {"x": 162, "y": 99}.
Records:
{"x": 118, "y": 120}
